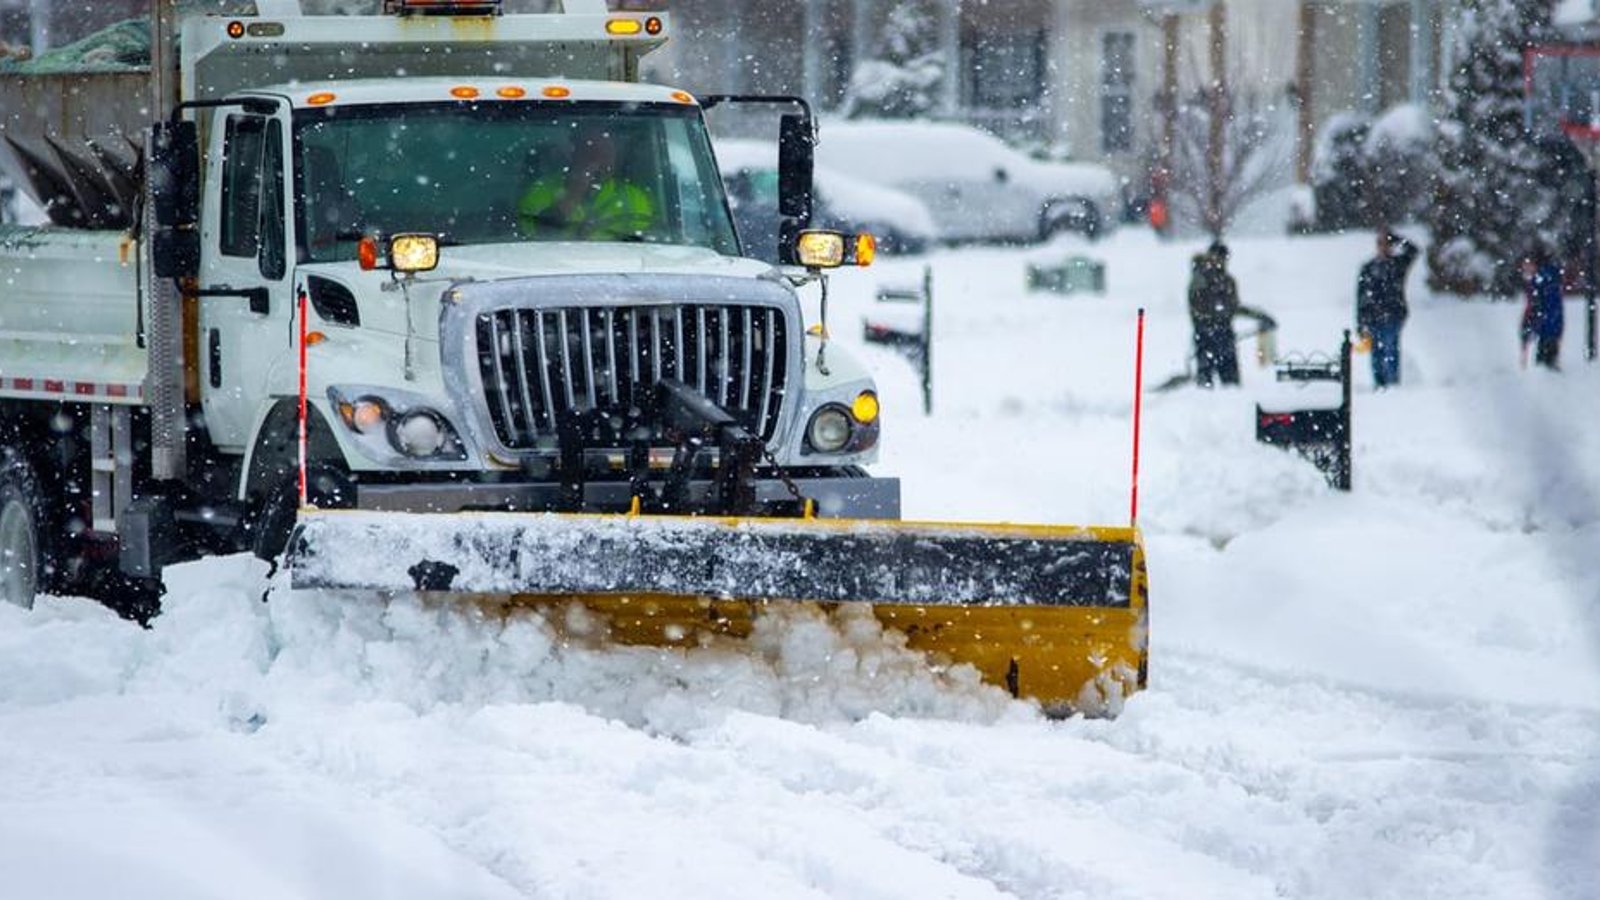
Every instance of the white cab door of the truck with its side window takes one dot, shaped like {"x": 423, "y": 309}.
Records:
{"x": 244, "y": 273}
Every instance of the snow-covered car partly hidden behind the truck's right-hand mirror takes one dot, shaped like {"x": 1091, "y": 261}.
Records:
{"x": 750, "y": 171}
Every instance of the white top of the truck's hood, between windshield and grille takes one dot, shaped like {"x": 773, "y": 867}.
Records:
{"x": 383, "y": 305}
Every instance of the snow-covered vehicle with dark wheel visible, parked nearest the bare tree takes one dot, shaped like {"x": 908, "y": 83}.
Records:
{"x": 977, "y": 188}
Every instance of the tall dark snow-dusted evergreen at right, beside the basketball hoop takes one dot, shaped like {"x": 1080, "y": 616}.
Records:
{"x": 1497, "y": 191}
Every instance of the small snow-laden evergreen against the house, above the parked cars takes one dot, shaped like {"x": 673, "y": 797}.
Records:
{"x": 903, "y": 79}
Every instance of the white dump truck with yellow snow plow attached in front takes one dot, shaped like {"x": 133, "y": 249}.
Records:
{"x": 329, "y": 289}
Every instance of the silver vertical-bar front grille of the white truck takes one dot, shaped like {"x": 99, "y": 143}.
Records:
{"x": 542, "y": 363}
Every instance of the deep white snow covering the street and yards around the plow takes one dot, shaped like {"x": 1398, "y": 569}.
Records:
{"x": 1385, "y": 694}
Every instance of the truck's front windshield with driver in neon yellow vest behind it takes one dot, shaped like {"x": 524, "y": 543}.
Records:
{"x": 506, "y": 172}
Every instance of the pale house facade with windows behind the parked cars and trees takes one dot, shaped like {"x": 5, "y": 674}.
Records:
{"x": 1082, "y": 79}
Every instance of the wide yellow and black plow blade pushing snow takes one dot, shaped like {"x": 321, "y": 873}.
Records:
{"x": 1050, "y": 613}
